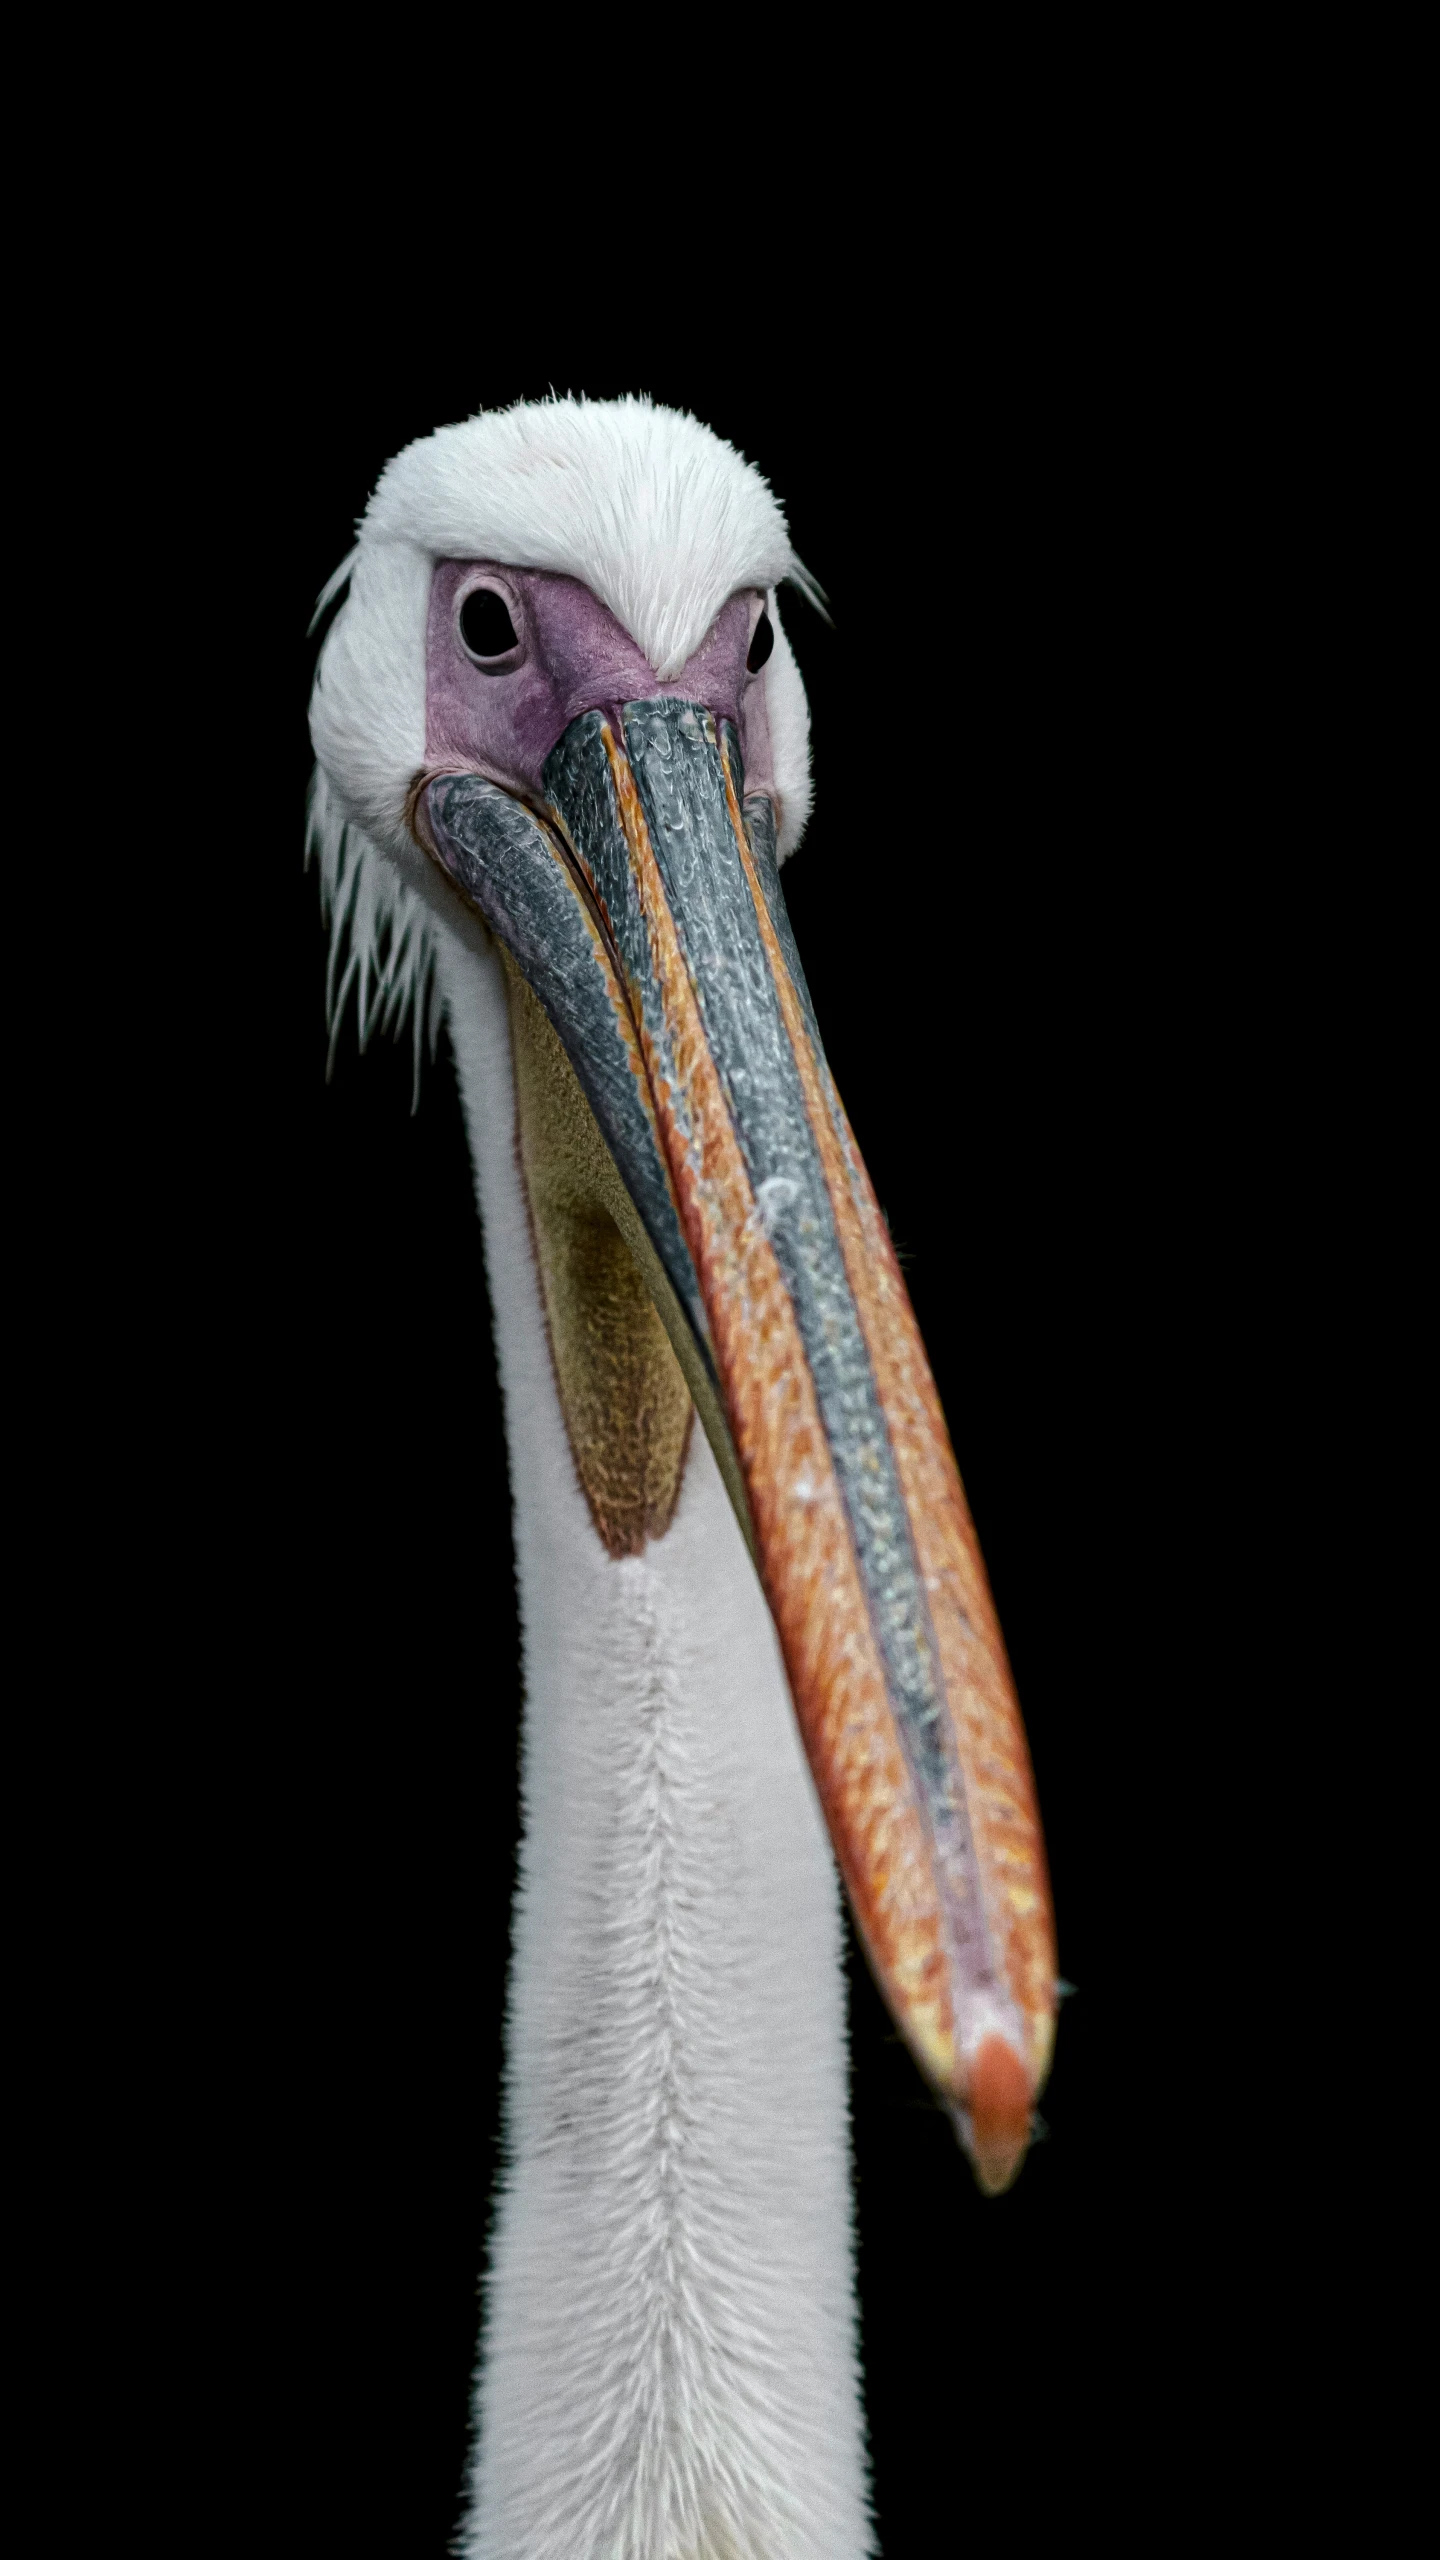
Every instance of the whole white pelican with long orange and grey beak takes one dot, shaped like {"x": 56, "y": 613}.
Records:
{"x": 562, "y": 751}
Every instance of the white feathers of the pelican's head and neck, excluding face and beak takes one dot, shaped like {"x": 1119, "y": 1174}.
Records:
{"x": 670, "y": 2364}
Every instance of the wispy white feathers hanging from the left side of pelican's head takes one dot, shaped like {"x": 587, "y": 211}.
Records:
{"x": 383, "y": 943}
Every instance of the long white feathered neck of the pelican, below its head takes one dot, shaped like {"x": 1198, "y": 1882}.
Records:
{"x": 670, "y": 2364}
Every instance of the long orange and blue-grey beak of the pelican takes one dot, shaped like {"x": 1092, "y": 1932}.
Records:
{"x": 647, "y": 915}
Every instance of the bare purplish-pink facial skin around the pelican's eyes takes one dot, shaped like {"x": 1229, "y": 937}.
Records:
{"x": 573, "y": 659}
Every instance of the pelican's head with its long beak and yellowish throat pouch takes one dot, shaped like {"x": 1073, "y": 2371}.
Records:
{"x": 562, "y": 710}
